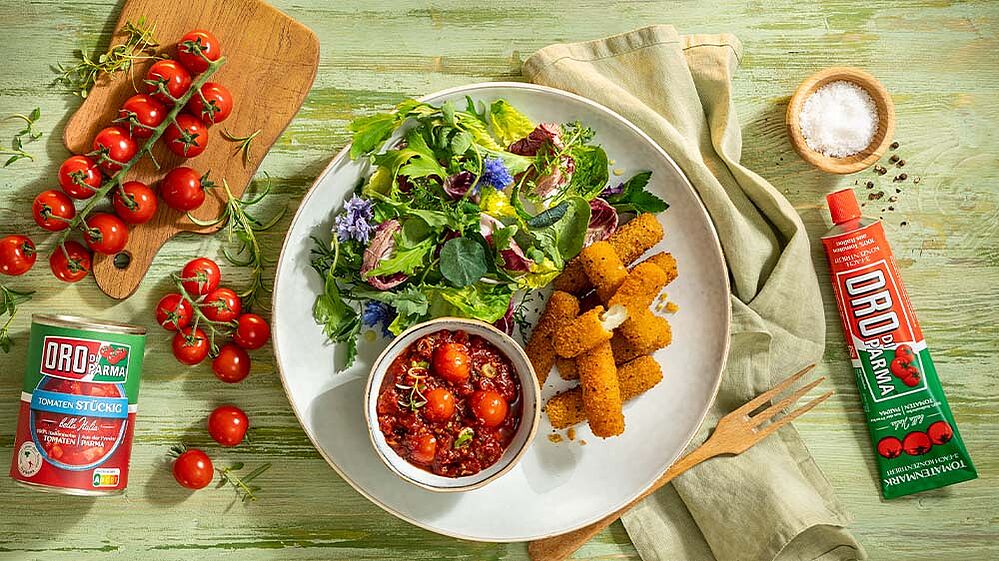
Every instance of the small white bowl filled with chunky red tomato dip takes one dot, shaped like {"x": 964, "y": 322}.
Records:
{"x": 452, "y": 404}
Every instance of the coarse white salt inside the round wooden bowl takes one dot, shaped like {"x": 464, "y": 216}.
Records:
{"x": 839, "y": 119}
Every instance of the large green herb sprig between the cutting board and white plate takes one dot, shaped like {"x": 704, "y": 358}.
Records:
{"x": 244, "y": 249}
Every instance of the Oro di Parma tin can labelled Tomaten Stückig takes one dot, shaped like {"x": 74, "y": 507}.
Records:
{"x": 78, "y": 404}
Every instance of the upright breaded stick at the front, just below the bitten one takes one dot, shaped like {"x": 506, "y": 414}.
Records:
{"x": 601, "y": 394}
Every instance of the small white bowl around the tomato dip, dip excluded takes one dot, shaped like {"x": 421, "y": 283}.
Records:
{"x": 530, "y": 408}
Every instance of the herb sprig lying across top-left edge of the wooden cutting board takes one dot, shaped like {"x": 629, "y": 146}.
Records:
{"x": 83, "y": 75}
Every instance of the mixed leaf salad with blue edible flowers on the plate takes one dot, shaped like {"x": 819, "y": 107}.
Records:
{"x": 466, "y": 209}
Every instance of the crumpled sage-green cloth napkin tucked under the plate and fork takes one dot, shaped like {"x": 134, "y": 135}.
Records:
{"x": 771, "y": 502}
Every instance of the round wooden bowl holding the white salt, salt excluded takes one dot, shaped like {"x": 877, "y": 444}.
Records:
{"x": 886, "y": 120}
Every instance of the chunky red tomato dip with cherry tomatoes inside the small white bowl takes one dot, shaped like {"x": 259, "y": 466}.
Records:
{"x": 450, "y": 403}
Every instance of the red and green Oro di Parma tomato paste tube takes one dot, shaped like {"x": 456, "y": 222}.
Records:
{"x": 916, "y": 441}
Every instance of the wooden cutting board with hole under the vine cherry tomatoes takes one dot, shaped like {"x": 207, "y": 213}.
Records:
{"x": 271, "y": 64}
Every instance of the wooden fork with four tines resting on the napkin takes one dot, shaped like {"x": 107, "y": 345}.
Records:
{"x": 735, "y": 433}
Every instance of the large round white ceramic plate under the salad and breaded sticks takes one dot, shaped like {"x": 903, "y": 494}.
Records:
{"x": 557, "y": 487}
